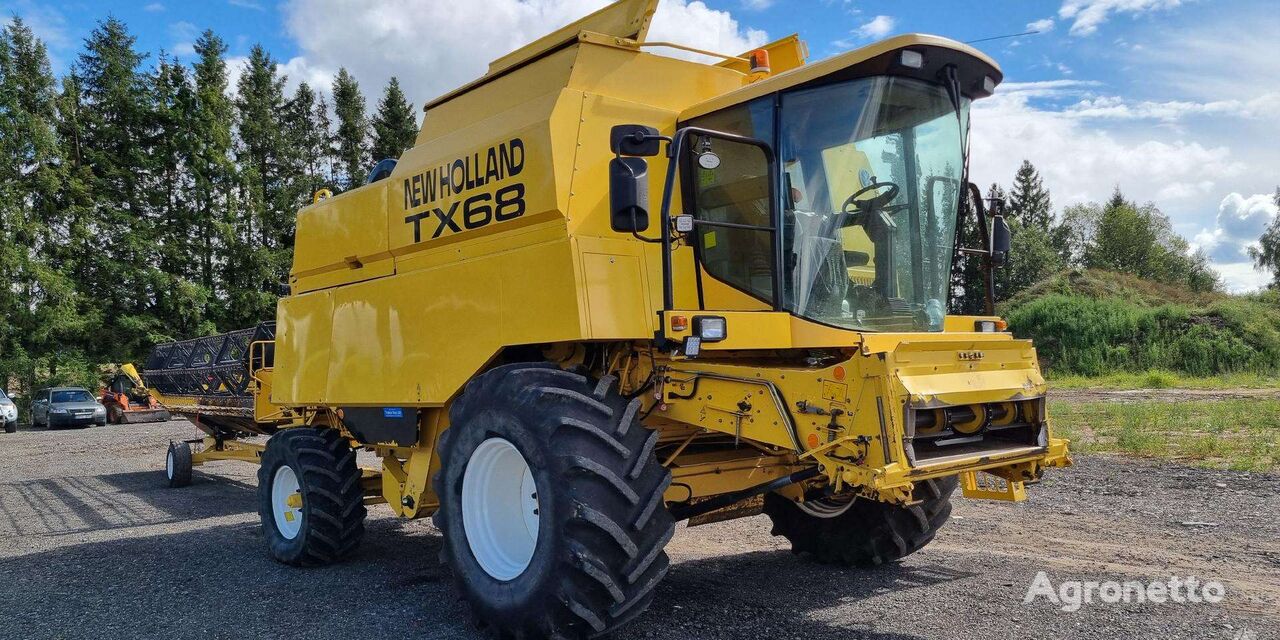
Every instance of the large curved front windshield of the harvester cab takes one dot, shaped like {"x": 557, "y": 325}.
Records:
{"x": 872, "y": 175}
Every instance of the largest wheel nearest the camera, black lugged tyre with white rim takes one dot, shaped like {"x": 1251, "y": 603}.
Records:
{"x": 551, "y": 504}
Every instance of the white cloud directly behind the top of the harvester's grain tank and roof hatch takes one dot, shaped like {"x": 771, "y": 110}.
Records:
{"x": 436, "y": 47}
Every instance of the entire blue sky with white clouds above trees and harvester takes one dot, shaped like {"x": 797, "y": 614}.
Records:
{"x": 1176, "y": 100}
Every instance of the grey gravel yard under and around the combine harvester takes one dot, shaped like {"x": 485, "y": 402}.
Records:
{"x": 95, "y": 546}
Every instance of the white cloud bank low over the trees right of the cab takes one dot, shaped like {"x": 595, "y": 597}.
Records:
{"x": 1087, "y": 145}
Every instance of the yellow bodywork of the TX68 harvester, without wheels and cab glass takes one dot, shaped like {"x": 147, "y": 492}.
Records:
{"x": 495, "y": 232}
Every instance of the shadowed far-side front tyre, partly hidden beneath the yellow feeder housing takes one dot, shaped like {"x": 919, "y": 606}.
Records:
{"x": 858, "y": 532}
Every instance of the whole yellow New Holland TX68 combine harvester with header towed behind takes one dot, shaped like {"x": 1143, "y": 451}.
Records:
{"x": 610, "y": 290}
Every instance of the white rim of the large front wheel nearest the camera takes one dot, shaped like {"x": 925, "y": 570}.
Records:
{"x": 500, "y": 509}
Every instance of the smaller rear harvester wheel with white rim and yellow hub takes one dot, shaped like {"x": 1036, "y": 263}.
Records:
{"x": 309, "y": 497}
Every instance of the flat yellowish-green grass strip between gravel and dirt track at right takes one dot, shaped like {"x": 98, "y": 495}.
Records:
{"x": 1241, "y": 435}
